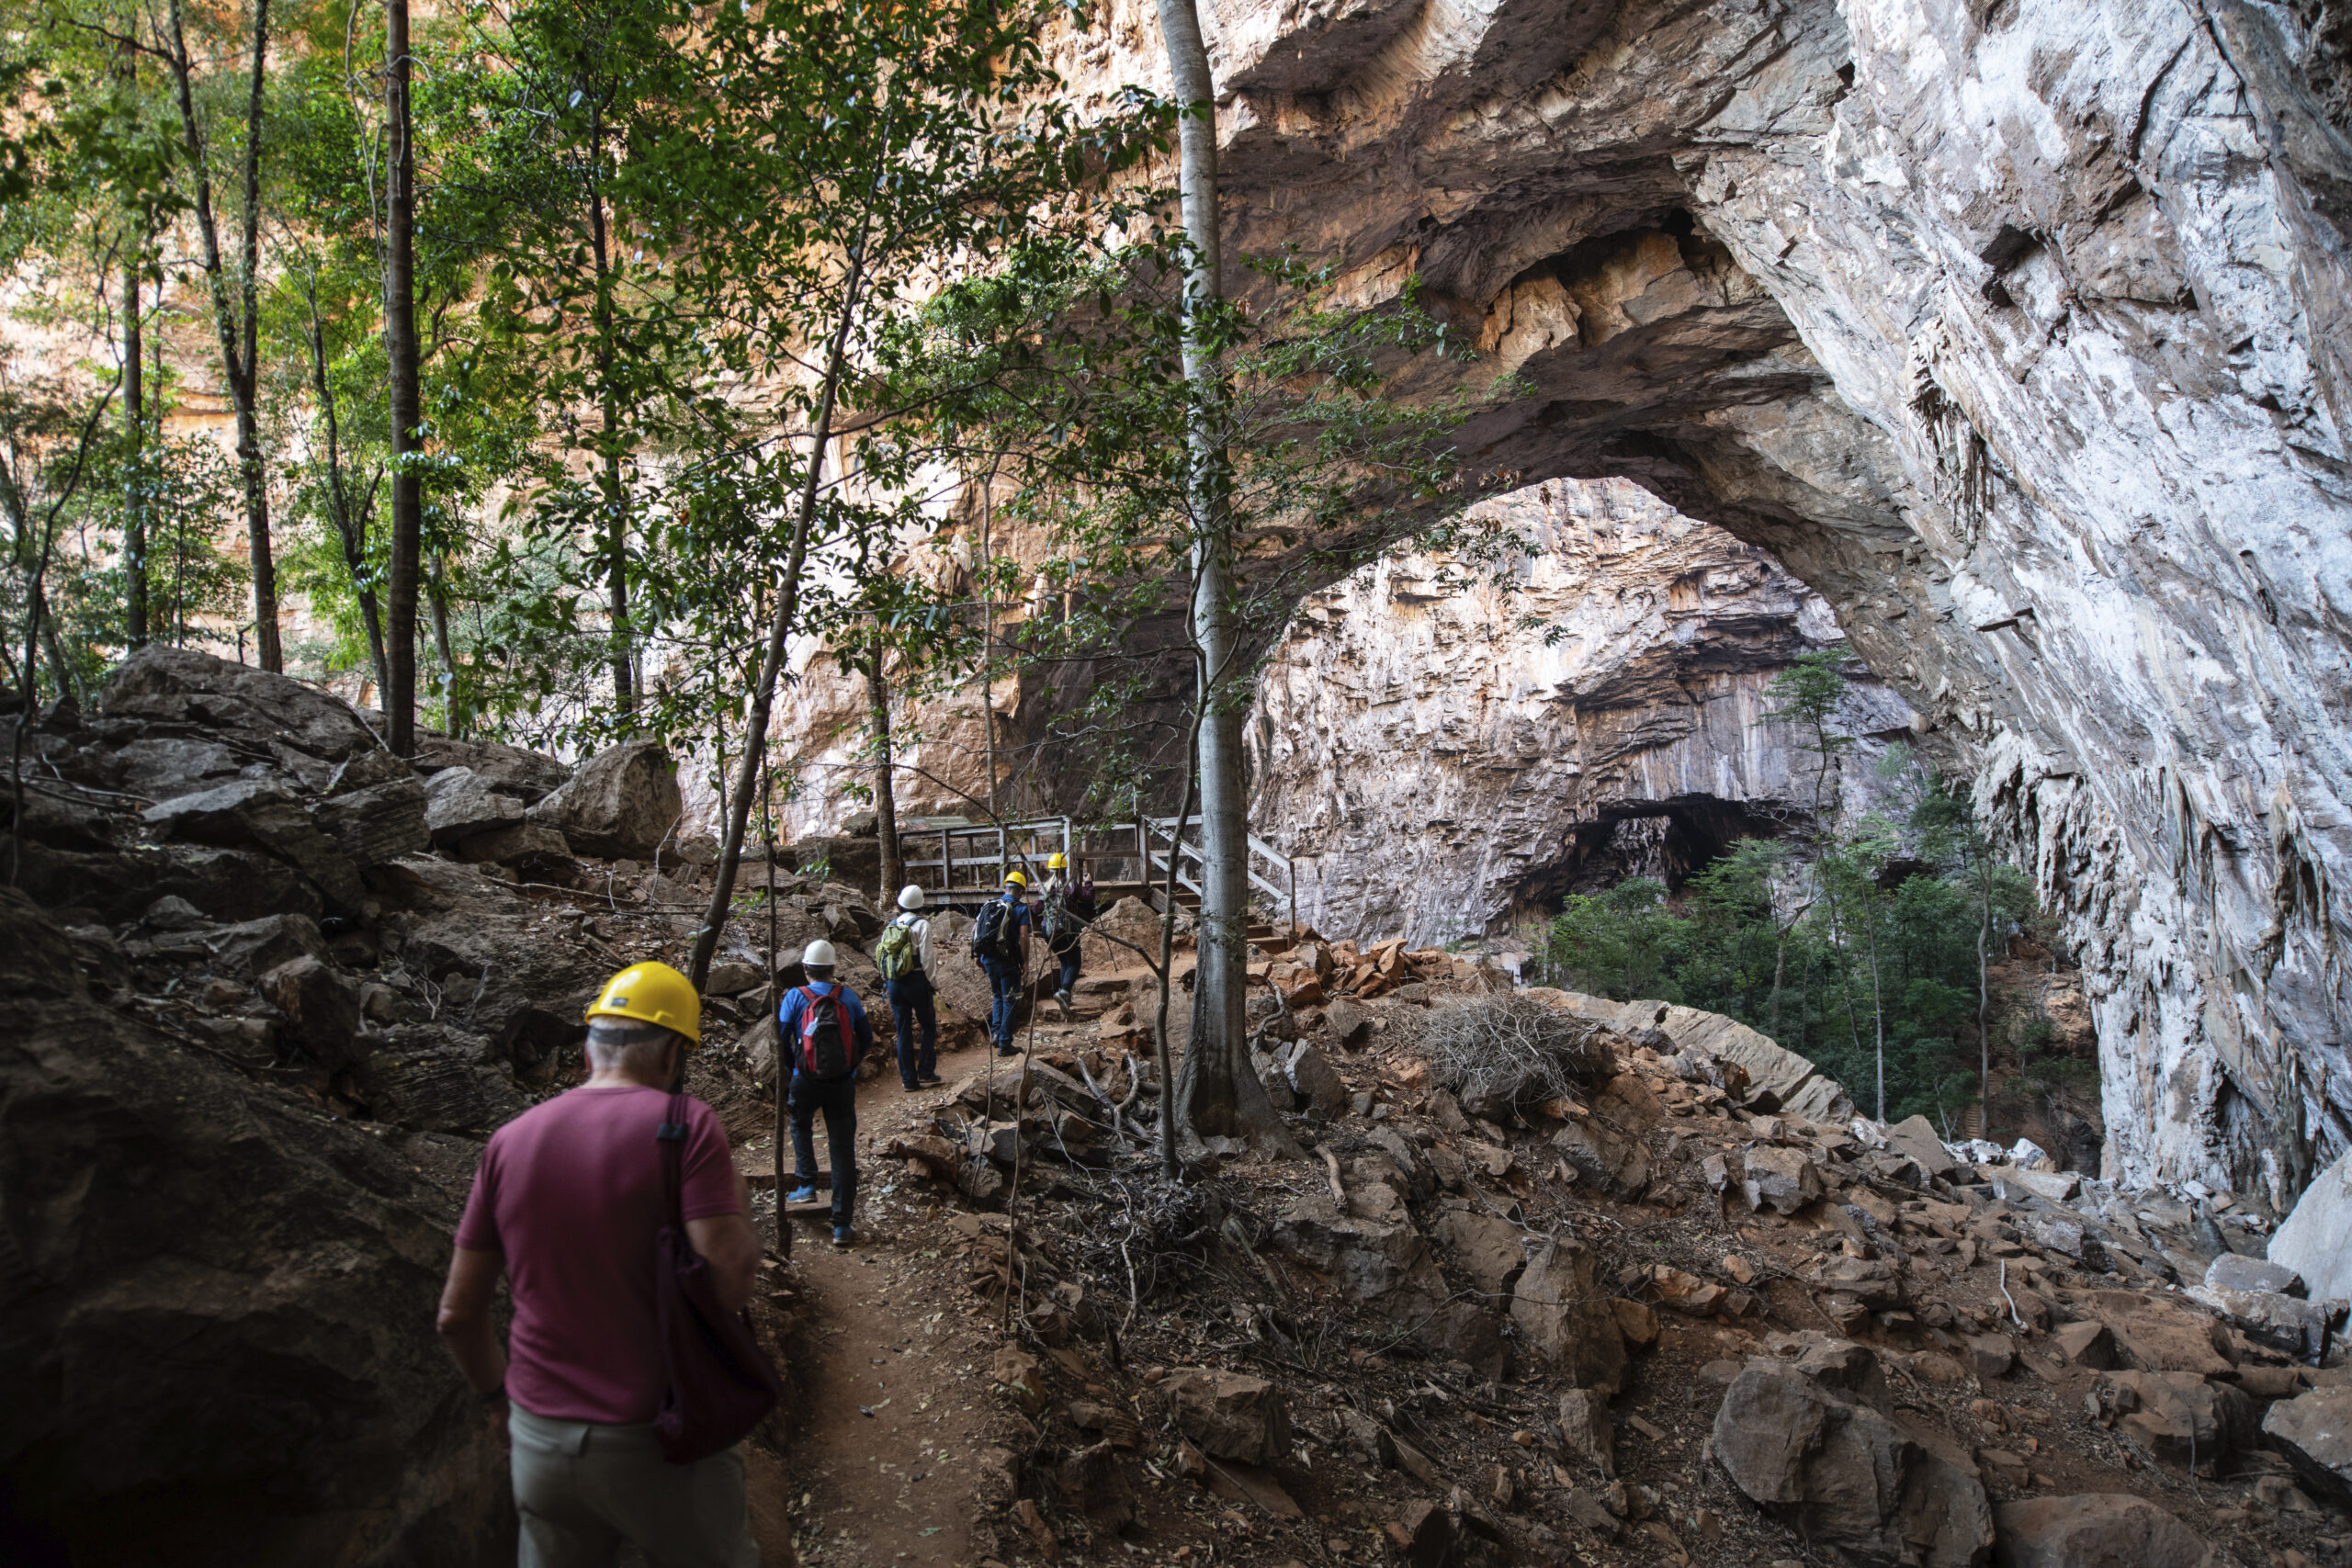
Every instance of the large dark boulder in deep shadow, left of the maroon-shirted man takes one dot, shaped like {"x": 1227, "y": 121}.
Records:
{"x": 227, "y": 1358}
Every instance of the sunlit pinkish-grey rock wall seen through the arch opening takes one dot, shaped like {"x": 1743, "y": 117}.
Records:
{"x": 1450, "y": 749}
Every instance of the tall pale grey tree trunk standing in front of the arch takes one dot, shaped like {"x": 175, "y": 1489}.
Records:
{"x": 1220, "y": 1094}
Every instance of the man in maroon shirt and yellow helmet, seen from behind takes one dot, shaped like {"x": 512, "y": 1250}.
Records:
{"x": 566, "y": 1205}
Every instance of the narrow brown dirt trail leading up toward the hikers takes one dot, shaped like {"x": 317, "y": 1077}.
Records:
{"x": 890, "y": 1369}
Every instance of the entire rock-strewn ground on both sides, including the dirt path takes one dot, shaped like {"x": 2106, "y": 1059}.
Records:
{"x": 1666, "y": 1304}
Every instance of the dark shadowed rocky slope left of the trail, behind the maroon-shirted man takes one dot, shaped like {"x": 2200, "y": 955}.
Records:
{"x": 269, "y": 993}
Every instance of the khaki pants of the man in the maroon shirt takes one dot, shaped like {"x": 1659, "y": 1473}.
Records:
{"x": 584, "y": 1489}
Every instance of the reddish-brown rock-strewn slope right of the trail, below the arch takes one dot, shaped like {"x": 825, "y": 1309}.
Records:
{"x": 1657, "y": 1304}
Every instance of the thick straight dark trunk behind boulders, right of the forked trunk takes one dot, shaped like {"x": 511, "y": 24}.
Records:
{"x": 401, "y": 351}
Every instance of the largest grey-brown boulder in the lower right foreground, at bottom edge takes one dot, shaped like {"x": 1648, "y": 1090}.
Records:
{"x": 1812, "y": 1442}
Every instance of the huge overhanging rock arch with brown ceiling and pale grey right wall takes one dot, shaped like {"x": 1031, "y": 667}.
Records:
{"x": 2014, "y": 328}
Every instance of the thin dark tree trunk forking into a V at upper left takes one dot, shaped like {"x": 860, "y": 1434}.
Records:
{"x": 241, "y": 335}
